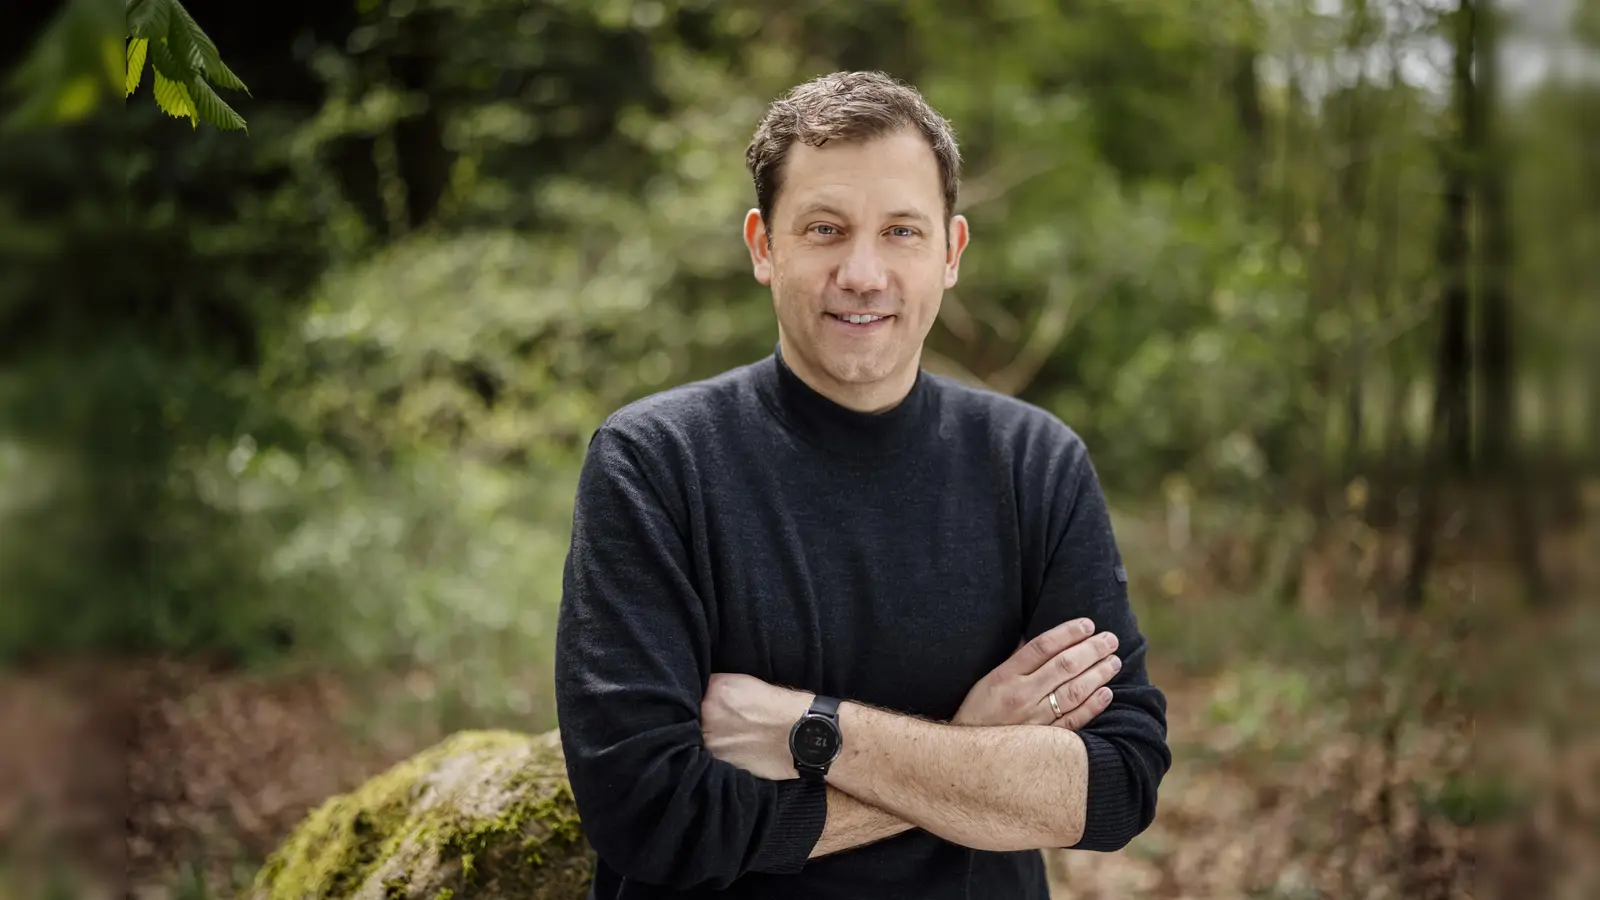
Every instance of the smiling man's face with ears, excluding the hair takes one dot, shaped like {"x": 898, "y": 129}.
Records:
{"x": 858, "y": 263}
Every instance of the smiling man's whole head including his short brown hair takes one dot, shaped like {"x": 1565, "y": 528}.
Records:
{"x": 855, "y": 185}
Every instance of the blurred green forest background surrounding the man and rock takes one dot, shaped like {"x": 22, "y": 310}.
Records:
{"x": 290, "y": 419}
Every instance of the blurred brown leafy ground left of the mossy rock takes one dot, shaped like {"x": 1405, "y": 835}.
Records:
{"x": 129, "y": 771}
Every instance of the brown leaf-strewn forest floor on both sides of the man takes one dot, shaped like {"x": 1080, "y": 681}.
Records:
{"x": 1292, "y": 781}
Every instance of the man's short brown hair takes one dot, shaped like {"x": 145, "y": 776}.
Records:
{"x": 847, "y": 106}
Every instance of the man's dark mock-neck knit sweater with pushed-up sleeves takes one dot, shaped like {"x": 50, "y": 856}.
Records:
{"x": 748, "y": 524}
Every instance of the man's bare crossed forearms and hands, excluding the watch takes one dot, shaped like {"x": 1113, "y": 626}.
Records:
{"x": 898, "y": 773}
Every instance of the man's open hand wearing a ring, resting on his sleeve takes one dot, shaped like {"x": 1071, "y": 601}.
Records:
{"x": 1065, "y": 661}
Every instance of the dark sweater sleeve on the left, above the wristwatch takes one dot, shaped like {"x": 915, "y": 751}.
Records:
{"x": 633, "y": 659}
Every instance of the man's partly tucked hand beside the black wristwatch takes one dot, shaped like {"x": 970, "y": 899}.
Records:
{"x": 746, "y": 723}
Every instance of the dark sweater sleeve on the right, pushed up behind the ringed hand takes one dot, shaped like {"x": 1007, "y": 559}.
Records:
{"x": 1127, "y": 744}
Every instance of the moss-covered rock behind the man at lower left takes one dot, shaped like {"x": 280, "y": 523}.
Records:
{"x": 484, "y": 814}
